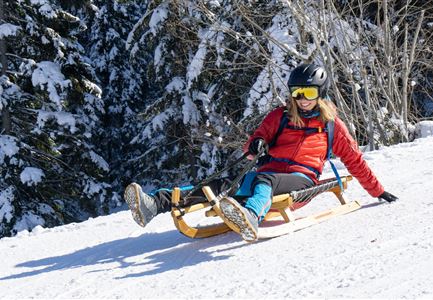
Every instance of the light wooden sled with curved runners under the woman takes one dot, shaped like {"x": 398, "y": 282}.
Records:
{"x": 280, "y": 219}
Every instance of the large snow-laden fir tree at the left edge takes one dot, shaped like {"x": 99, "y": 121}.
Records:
{"x": 51, "y": 172}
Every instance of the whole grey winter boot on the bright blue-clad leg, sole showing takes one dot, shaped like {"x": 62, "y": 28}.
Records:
{"x": 242, "y": 218}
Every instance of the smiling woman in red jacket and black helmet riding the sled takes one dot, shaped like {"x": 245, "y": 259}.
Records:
{"x": 295, "y": 156}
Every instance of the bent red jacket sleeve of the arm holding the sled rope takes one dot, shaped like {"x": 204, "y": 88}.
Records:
{"x": 268, "y": 128}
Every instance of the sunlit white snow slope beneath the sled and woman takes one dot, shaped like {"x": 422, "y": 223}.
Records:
{"x": 382, "y": 250}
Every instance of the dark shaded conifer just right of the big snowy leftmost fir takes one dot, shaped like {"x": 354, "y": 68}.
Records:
{"x": 123, "y": 87}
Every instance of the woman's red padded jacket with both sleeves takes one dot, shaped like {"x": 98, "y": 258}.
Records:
{"x": 311, "y": 150}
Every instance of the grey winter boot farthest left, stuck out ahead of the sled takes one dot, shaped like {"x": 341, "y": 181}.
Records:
{"x": 143, "y": 207}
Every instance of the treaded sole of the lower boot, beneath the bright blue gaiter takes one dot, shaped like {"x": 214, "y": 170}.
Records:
{"x": 234, "y": 214}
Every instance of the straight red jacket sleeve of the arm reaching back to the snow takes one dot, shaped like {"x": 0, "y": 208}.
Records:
{"x": 346, "y": 148}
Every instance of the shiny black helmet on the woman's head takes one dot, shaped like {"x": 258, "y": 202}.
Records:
{"x": 310, "y": 74}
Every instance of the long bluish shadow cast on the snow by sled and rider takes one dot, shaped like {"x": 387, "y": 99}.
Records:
{"x": 175, "y": 251}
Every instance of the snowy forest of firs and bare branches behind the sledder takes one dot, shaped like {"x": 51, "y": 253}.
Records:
{"x": 96, "y": 94}
